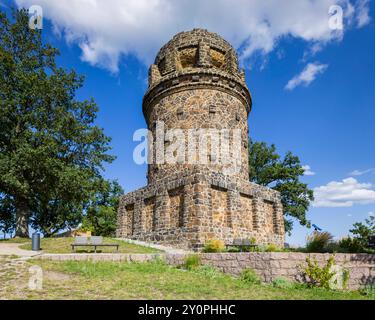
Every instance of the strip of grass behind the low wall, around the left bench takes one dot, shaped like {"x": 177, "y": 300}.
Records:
{"x": 63, "y": 245}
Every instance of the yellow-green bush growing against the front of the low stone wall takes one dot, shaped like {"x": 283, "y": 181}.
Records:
{"x": 319, "y": 276}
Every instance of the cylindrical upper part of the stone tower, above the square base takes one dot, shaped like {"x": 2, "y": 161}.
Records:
{"x": 195, "y": 84}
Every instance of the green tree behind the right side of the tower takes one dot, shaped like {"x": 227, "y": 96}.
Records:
{"x": 267, "y": 168}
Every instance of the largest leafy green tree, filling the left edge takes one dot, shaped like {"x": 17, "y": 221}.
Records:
{"x": 51, "y": 152}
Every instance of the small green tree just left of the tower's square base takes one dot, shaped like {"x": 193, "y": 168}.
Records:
{"x": 101, "y": 217}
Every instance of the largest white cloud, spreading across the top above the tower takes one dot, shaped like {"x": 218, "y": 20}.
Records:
{"x": 106, "y": 30}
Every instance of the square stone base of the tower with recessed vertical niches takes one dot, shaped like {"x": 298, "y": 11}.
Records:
{"x": 189, "y": 209}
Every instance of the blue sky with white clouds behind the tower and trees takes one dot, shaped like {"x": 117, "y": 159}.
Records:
{"x": 327, "y": 119}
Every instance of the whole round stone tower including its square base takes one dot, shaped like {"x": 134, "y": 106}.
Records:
{"x": 192, "y": 196}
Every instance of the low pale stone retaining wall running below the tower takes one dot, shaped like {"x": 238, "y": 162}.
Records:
{"x": 269, "y": 265}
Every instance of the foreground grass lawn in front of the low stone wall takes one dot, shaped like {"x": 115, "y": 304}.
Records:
{"x": 108, "y": 280}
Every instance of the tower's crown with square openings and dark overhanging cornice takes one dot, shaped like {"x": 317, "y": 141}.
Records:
{"x": 196, "y": 59}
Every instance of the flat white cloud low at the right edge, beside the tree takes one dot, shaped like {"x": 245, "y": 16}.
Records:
{"x": 345, "y": 193}
